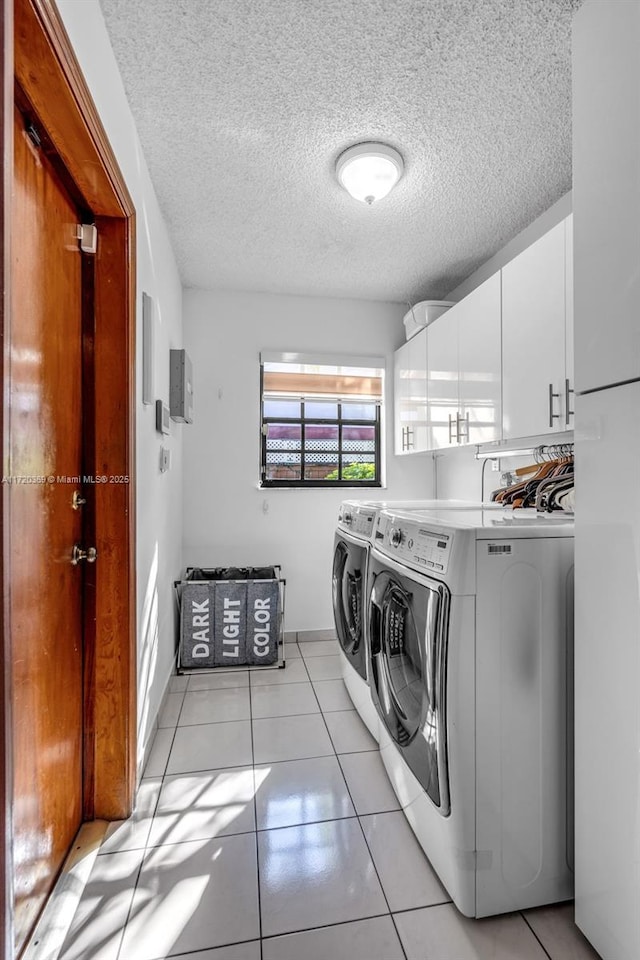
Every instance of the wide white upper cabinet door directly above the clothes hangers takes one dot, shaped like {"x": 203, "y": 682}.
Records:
{"x": 533, "y": 331}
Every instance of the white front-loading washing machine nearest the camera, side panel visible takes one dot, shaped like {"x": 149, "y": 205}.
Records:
{"x": 470, "y": 632}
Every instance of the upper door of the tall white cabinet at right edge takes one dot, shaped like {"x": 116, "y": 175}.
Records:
{"x": 606, "y": 193}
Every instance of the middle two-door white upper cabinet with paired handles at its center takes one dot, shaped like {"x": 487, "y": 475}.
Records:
{"x": 463, "y": 387}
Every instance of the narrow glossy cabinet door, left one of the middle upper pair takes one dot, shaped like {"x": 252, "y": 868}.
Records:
{"x": 442, "y": 380}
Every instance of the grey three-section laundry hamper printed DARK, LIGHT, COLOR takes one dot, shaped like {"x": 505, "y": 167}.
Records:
{"x": 231, "y": 617}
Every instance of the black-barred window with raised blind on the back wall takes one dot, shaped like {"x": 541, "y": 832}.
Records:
{"x": 320, "y": 421}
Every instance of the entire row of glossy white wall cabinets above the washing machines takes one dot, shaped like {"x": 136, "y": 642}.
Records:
{"x": 498, "y": 364}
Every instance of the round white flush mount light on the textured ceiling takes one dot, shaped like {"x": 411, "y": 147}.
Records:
{"x": 368, "y": 171}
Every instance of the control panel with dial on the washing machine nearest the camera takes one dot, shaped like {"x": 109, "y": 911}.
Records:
{"x": 418, "y": 544}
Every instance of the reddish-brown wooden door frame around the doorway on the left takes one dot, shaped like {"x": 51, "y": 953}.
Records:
{"x": 36, "y": 51}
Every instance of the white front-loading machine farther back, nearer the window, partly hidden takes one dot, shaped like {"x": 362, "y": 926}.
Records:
{"x": 354, "y": 534}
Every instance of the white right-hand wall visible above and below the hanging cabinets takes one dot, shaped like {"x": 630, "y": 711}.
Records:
{"x": 458, "y": 473}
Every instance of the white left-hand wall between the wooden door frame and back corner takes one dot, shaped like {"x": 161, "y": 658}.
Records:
{"x": 158, "y": 496}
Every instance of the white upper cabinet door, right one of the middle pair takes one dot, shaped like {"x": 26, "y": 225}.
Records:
{"x": 479, "y": 360}
